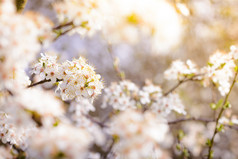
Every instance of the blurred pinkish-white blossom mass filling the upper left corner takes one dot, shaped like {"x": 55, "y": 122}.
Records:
{"x": 19, "y": 40}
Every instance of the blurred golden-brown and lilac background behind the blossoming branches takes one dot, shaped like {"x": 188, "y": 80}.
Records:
{"x": 197, "y": 28}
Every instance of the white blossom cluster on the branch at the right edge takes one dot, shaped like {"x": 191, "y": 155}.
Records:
{"x": 220, "y": 70}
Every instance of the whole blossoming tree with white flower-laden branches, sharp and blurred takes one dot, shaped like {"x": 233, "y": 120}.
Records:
{"x": 49, "y": 107}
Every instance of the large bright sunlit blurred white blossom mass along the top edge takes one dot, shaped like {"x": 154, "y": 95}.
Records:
{"x": 124, "y": 20}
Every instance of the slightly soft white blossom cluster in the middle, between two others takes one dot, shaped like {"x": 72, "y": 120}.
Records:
{"x": 126, "y": 94}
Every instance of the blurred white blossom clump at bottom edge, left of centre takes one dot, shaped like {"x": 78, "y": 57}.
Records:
{"x": 62, "y": 140}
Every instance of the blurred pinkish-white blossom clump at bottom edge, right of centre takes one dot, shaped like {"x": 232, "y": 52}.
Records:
{"x": 139, "y": 134}
